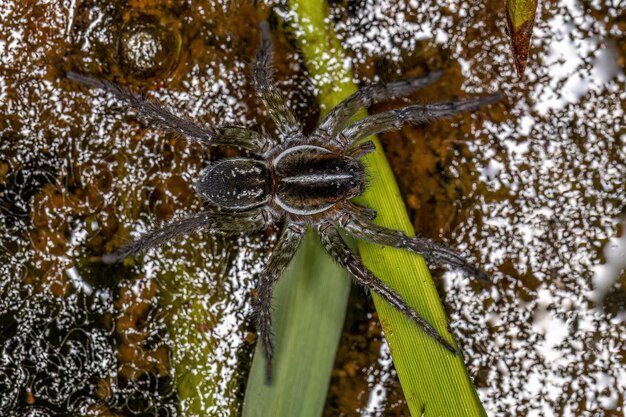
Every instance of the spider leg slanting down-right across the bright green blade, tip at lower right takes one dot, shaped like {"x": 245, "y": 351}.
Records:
{"x": 339, "y": 250}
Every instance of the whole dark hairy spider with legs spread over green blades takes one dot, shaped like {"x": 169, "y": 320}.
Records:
{"x": 298, "y": 181}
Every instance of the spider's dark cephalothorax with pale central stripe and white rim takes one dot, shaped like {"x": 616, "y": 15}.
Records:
{"x": 311, "y": 179}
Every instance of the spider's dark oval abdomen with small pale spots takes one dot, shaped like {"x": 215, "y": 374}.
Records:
{"x": 236, "y": 183}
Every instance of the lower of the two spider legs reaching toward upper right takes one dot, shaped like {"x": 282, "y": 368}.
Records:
{"x": 420, "y": 113}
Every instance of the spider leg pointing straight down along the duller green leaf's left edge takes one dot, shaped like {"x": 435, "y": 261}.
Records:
{"x": 283, "y": 253}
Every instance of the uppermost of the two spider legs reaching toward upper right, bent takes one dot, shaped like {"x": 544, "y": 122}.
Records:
{"x": 337, "y": 118}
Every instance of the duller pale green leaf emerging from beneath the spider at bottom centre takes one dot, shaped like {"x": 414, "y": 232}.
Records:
{"x": 309, "y": 309}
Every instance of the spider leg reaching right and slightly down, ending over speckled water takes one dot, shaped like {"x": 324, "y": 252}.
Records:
{"x": 362, "y": 228}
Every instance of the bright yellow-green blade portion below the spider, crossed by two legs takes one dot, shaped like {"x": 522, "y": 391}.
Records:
{"x": 435, "y": 382}
